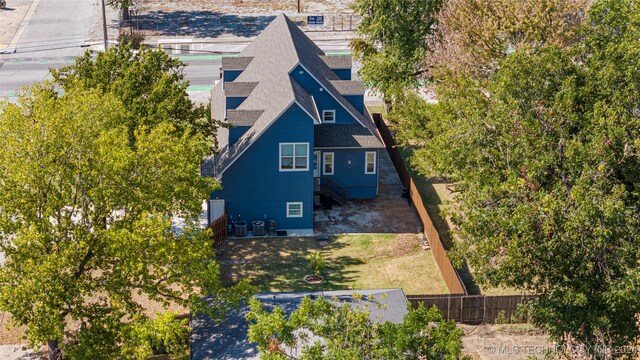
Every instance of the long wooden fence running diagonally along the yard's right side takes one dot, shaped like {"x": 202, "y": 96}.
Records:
{"x": 450, "y": 275}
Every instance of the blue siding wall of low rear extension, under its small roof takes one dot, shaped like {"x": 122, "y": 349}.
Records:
{"x": 351, "y": 175}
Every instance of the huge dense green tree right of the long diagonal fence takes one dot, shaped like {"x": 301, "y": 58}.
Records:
{"x": 544, "y": 155}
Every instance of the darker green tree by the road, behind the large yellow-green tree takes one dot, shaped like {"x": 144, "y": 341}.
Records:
{"x": 149, "y": 83}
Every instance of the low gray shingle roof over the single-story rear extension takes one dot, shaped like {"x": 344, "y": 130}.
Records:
{"x": 344, "y": 136}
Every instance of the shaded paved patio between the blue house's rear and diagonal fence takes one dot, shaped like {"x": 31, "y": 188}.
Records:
{"x": 389, "y": 213}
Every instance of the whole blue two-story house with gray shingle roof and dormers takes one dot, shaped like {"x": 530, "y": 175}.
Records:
{"x": 296, "y": 130}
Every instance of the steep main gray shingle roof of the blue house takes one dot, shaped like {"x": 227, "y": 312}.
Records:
{"x": 275, "y": 52}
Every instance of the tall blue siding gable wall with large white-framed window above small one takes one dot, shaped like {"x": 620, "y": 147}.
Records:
{"x": 254, "y": 186}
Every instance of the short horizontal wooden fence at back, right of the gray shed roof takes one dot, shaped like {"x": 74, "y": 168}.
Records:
{"x": 474, "y": 309}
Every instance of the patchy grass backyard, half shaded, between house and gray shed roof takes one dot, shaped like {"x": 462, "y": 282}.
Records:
{"x": 353, "y": 262}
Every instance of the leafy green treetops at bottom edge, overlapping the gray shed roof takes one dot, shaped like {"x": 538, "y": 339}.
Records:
{"x": 350, "y": 334}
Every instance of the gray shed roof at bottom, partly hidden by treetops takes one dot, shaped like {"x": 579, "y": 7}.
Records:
{"x": 228, "y": 338}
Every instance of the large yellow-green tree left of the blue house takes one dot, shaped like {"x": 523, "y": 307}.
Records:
{"x": 86, "y": 201}
